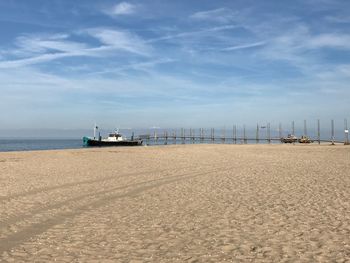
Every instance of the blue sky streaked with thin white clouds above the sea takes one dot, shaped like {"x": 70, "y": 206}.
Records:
{"x": 160, "y": 63}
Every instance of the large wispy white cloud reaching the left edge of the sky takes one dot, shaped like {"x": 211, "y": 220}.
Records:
{"x": 39, "y": 49}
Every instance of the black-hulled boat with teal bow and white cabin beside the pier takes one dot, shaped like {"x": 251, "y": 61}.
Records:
{"x": 113, "y": 139}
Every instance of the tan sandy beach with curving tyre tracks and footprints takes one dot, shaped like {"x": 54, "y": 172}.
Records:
{"x": 184, "y": 203}
